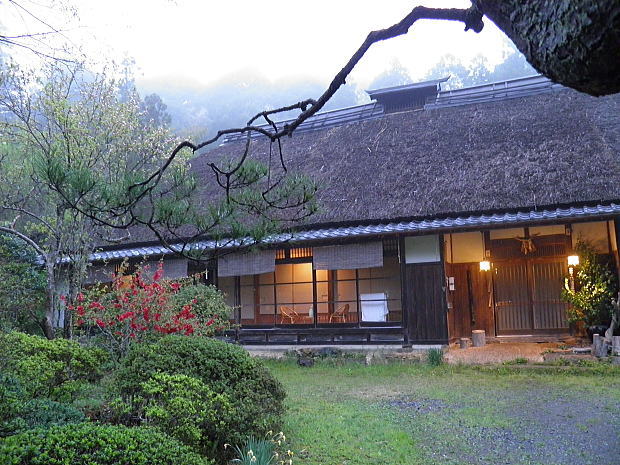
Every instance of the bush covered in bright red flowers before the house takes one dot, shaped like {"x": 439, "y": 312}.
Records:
{"x": 139, "y": 307}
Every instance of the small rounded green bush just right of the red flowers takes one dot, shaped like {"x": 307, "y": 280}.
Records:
{"x": 207, "y": 302}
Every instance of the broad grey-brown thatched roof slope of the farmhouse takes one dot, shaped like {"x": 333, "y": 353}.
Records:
{"x": 543, "y": 150}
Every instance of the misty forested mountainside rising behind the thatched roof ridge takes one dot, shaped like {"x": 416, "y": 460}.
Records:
{"x": 198, "y": 111}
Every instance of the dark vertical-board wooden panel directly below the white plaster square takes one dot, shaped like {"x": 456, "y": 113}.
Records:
{"x": 425, "y": 303}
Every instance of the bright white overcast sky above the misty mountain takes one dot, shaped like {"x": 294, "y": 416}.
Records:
{"x": 204, "y": 41}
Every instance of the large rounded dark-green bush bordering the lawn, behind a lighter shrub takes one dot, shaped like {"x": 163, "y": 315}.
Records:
{"x": 255, "y": 396}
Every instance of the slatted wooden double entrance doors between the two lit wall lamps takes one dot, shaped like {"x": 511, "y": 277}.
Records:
{"x": 527, "y": 296}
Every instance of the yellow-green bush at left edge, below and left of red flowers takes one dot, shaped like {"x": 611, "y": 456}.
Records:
{"x": 54, "y": 369}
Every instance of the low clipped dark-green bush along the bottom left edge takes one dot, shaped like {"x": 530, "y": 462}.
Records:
{"x": 92, "y": 444}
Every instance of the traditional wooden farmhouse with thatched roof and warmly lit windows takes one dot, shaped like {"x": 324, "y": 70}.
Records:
{"x": 440, "y": 212}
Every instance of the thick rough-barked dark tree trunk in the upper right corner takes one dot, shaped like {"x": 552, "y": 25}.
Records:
{"x": 573, "y": 42}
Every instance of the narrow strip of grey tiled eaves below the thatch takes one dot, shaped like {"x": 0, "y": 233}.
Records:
{"x": 414, "y": 226}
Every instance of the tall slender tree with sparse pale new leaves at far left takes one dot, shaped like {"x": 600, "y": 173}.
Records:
{"x": 68, "y": 128}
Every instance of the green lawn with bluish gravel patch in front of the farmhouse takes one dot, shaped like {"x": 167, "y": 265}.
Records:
{"x": 415, "y": 414}
